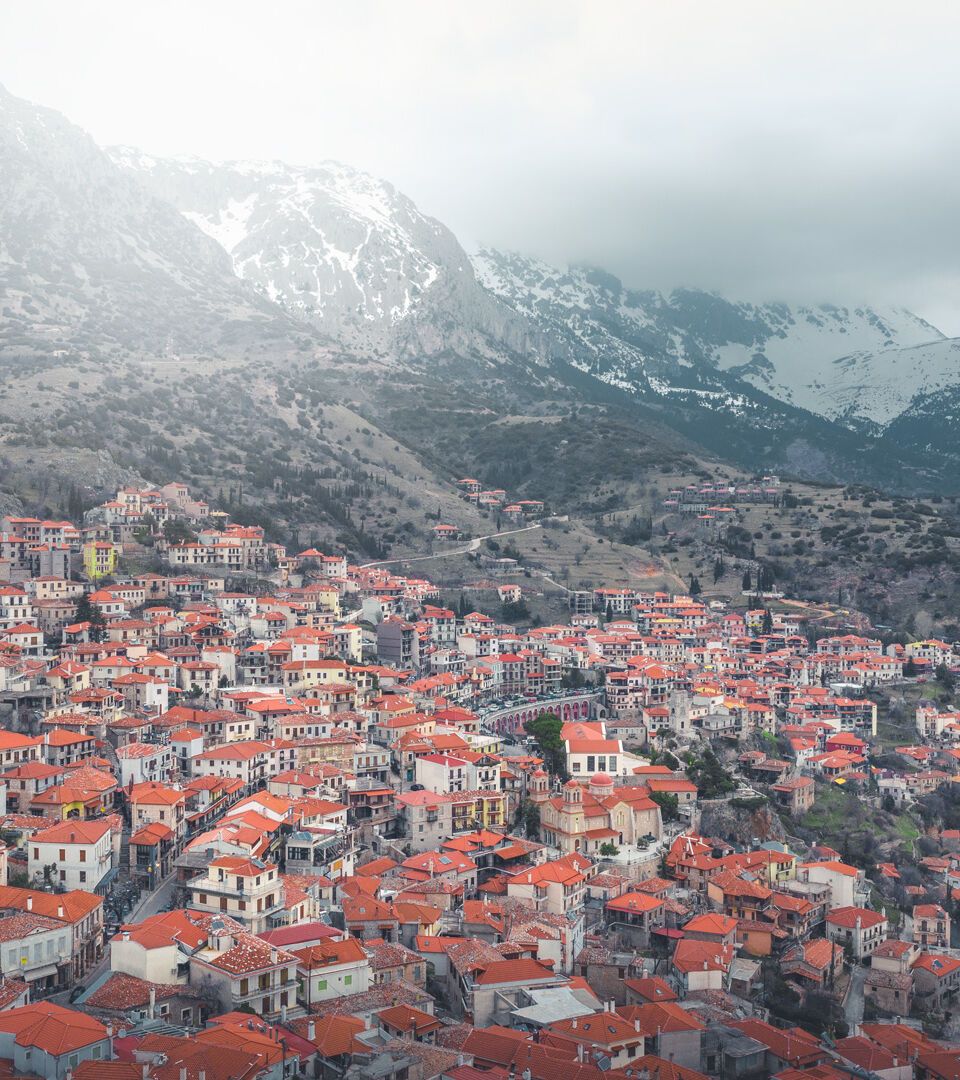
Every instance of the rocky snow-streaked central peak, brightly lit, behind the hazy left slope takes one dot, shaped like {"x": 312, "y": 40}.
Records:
{"x": 337, "y": 248}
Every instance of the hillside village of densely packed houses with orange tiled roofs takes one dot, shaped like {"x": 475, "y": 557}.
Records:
{"x": 324, "y": 826}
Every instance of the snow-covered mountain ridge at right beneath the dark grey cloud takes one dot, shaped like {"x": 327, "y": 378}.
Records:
{"x": 853, "y": 364}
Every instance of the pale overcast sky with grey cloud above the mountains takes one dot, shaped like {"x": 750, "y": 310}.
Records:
{"x": 770, "y": 151}
